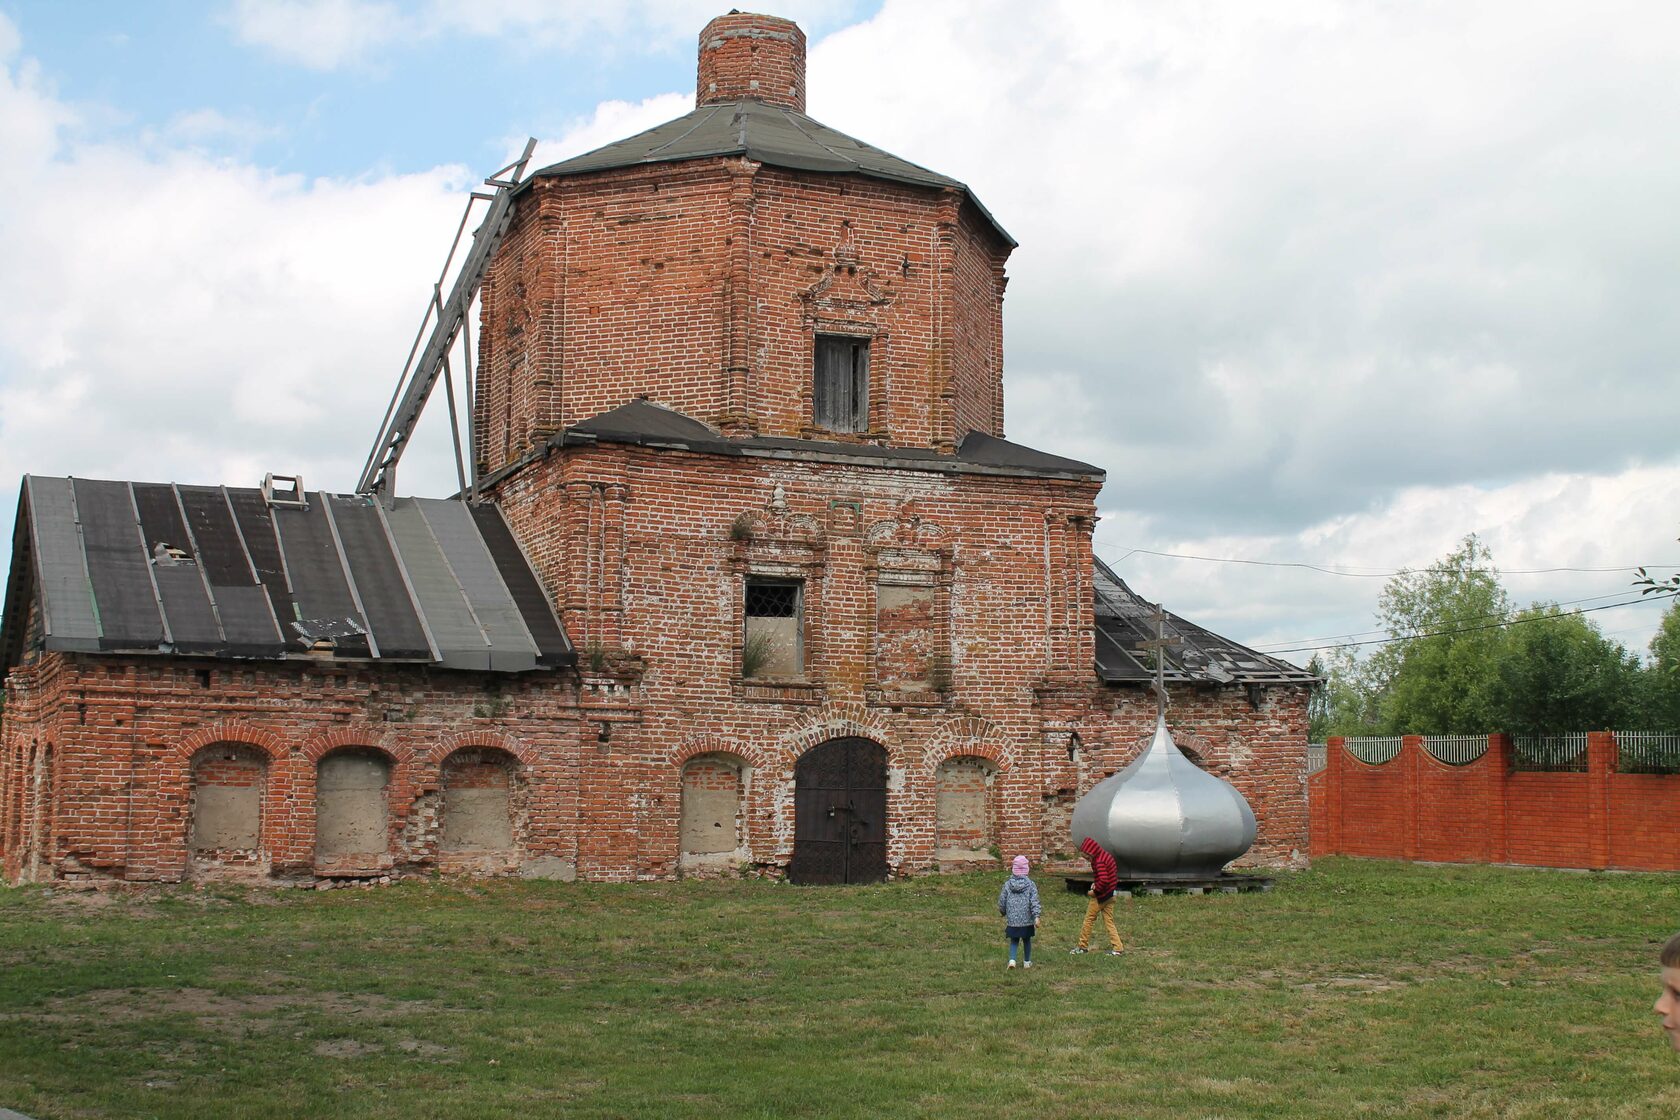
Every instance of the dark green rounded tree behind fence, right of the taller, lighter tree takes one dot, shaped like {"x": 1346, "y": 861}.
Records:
{"x": 1557, "y": 673}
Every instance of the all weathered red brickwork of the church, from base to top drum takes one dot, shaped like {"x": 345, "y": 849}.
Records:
{"x": 943, "y": 609}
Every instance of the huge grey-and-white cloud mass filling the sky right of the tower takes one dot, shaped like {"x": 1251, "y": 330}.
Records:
{"x": 1320, "y": 281}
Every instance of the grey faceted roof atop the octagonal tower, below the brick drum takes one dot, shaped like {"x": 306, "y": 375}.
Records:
{"x": 772, "y": 135}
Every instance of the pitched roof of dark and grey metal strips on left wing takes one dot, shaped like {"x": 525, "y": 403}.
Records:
{"x": 221, "y": 572}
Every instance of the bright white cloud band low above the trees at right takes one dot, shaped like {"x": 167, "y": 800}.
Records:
{"x": 1599, "y": 523}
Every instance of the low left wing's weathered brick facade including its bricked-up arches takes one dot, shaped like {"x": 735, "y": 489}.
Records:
{"x": 137, "y": 745}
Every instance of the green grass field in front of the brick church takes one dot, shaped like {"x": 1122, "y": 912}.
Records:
{"x": 1355, "y": 990}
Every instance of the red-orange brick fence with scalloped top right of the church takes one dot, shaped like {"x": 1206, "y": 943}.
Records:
{"x": 1557, "y": 802}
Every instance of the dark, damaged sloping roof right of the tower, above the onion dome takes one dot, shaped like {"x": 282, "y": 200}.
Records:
{"x": 1126, "y": 620}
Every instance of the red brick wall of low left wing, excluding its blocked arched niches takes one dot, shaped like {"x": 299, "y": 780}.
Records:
{"x": 129, "y": 731}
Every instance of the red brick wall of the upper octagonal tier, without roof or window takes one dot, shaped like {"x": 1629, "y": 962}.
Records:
{"x": 703, "y": 286}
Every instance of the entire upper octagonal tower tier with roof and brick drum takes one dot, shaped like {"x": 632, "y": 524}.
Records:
{"x": 748, "y": 268}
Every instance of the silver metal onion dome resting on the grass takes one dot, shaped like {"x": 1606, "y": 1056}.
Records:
{"x": 1167, "y": 819}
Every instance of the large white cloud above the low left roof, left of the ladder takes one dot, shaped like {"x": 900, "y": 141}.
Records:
{"x": 196, "y": 320}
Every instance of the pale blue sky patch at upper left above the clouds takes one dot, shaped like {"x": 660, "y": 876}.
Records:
{"x": 401, "y": 107}
